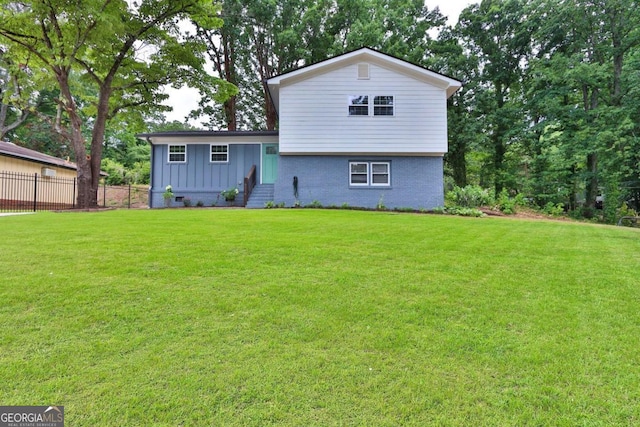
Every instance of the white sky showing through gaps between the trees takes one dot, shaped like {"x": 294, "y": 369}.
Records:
{"x": 186, "y": 99}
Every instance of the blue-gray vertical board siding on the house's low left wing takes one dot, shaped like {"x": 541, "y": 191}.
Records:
{"x": 198, "y": 178}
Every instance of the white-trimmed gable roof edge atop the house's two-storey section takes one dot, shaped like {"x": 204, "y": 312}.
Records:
{"x": 364, "y": 54}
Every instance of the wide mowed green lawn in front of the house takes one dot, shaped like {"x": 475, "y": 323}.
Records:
{"x": 313, "y": 317}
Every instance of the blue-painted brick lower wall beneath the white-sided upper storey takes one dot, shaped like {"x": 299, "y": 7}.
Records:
{"x": 416, "y": 182}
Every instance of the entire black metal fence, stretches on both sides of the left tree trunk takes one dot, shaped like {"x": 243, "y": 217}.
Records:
{"x": 20, "y": 192}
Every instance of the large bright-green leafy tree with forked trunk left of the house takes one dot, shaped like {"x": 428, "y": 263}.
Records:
{"x": 122, "y": 53}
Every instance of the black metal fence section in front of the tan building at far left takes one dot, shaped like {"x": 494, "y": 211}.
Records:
{"x": 33, "y": 192}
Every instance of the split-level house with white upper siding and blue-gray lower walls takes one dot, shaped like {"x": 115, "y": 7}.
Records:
{"x": 362, "y": 129}
